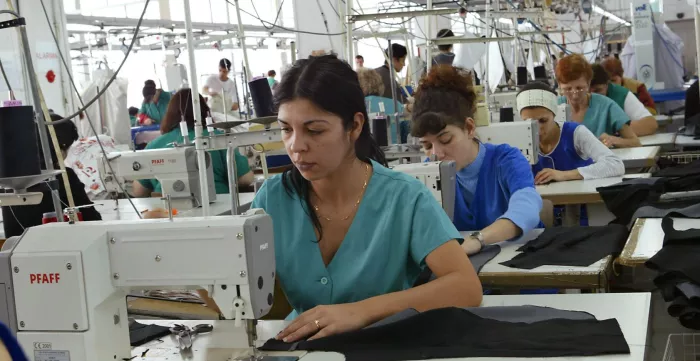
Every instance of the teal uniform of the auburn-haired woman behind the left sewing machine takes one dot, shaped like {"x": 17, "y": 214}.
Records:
{"x": 218, "y": 158}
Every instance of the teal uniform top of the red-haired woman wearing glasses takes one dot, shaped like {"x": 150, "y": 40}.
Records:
{"x": 603, "y": 115}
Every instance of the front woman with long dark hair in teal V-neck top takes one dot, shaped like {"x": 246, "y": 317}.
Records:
{"x": 352, "y": 236}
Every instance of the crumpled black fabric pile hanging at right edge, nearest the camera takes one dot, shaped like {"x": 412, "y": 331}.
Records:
{"x": 679, "y": 272}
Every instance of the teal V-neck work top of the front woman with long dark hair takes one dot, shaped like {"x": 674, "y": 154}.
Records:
{"x": 398, "y": 223}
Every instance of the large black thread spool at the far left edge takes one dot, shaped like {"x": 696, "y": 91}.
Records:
{"x": 19, "y": 145}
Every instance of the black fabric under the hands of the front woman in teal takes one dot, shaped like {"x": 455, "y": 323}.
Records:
{"x": 452, "y": 333}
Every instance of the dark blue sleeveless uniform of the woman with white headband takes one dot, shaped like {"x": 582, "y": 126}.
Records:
{"x": 564, "y": 157}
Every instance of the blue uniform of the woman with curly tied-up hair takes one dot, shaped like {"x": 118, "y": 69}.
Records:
{"x": 498, "y": 184}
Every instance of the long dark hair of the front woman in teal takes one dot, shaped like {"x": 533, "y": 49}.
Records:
{"x": 331, "y": 85}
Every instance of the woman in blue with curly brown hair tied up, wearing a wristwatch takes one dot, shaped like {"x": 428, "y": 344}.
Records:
{"x": 496, "y": 197}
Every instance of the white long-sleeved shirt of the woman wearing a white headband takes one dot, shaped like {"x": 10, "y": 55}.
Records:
{"x": 605, "y": 163}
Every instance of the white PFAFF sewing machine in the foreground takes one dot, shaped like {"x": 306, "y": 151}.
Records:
{"x": 65, "y": 285}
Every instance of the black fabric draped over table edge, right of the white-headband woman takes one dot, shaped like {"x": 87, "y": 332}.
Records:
{"x": 625, "y": 198}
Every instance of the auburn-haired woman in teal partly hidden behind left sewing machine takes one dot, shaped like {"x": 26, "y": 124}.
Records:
{"x": 170, "y": 130}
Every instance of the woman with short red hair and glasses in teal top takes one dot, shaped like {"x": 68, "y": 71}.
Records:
{"x": 598, "y": 113}
